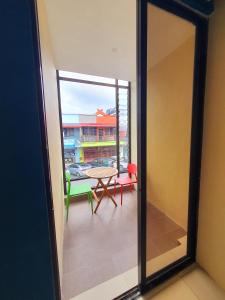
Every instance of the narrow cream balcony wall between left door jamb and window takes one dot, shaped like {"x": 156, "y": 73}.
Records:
{"x": 53, "y": 128}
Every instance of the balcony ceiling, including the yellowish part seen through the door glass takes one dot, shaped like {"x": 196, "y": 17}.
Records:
{"x": 98, "y": 37}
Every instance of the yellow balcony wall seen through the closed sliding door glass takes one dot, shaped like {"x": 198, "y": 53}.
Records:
{"x": 169, "y": 111}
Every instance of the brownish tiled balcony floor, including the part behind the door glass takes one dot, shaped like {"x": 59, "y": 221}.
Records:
{"x": 99, "y": 247}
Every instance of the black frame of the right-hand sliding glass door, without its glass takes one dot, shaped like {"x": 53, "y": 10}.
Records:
{"x": 201, "y": 25}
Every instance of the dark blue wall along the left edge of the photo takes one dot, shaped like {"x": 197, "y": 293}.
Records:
{"x": 26, "y": 260}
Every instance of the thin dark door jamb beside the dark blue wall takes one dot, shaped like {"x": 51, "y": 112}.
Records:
{"x": 45, "y": 148}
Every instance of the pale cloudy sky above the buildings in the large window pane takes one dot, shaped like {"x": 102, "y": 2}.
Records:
{"x": 80, "y": 98}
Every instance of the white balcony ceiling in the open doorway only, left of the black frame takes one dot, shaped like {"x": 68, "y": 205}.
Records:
{"x": 96, "y": 37}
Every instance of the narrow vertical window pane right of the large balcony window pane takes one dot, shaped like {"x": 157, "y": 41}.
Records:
{"x": 123, "y": 129}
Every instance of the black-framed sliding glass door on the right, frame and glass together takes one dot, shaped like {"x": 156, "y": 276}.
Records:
{"x": 170, "y": 108}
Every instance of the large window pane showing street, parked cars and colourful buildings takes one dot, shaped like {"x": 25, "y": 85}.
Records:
{"x": 89, "y": 126}
